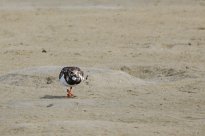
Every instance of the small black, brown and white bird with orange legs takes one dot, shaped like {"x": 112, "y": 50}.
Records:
{"x": 70, "y": 77}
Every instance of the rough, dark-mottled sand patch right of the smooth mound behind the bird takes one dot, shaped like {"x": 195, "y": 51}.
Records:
{"x": 158, "y": 73}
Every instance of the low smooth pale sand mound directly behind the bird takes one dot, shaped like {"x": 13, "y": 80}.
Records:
{"x": 44, "y": 76}
